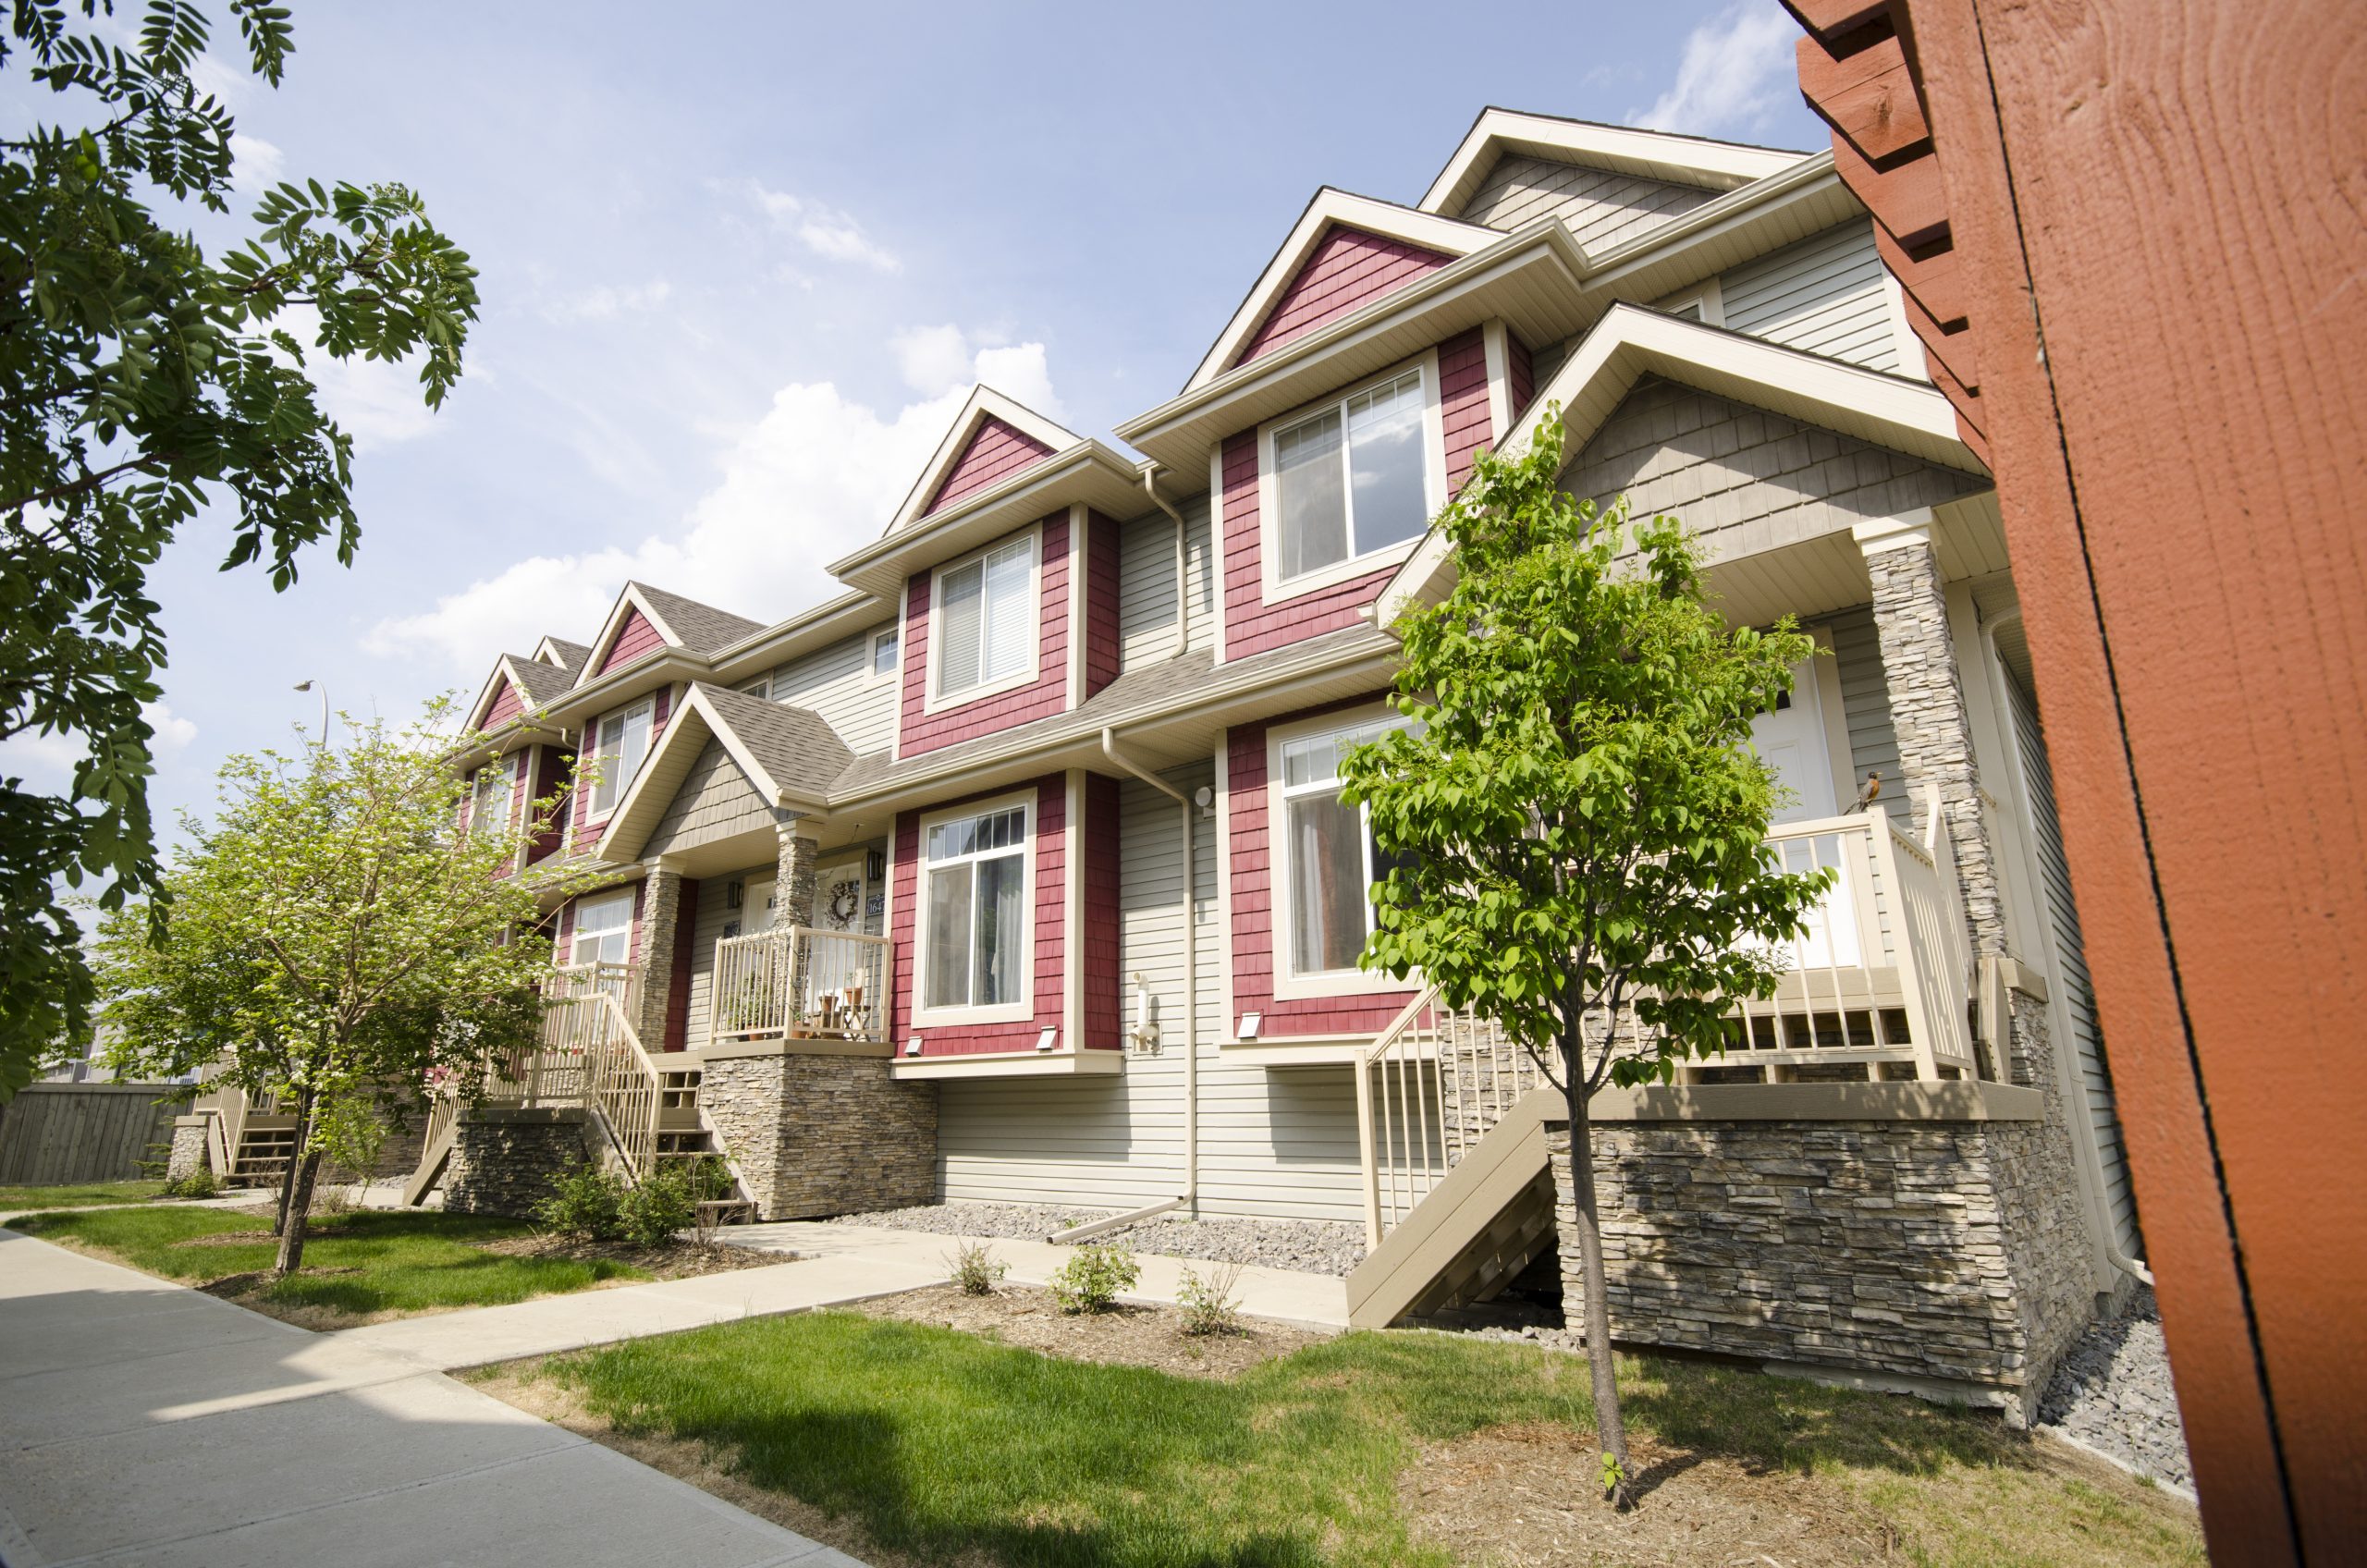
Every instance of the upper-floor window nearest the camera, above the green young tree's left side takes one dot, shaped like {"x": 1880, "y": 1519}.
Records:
{"x": 1353, "y": 480}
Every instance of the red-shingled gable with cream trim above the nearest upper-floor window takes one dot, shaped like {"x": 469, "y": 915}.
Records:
{"x": 1341, "y": 255}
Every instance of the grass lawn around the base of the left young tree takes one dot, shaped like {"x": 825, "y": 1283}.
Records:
{"x": 356, "y": 1264}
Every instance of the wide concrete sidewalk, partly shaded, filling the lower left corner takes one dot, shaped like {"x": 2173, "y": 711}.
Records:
{"x": 150, "y": 1425}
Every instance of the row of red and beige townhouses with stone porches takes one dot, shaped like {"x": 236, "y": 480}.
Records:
{"x": 1019, "y": 868}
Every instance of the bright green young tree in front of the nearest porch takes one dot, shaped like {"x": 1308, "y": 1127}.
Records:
{"x": 1578, "y": 821}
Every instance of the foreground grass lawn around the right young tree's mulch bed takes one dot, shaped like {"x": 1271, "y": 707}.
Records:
{"x": 943, "y": 1444}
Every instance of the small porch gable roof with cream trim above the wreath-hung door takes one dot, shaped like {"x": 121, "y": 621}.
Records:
{"x": 787, "y": 754}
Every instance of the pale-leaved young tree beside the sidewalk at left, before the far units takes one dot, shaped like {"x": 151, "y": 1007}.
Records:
{"x": 335, "y": 939}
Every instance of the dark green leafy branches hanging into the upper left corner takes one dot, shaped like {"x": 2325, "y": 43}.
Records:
{"x": 141, "y": 385}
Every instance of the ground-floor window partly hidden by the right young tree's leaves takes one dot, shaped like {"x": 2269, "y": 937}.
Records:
{"x": 1329, "y": 854}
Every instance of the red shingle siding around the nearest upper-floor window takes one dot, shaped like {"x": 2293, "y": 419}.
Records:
{"x": 1253, "y": 626}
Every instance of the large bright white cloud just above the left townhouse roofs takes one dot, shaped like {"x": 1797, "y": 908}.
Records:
{"x": 806, "y": 484}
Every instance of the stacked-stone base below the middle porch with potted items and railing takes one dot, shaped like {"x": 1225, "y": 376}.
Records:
{"x": 823, "y": 1133}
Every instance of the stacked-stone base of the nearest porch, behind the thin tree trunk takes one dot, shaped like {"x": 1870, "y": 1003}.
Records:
{"x": 1911, "y": 1249}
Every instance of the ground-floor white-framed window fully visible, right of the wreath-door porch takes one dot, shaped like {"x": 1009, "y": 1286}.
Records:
{"x": 976, "y": 911}
